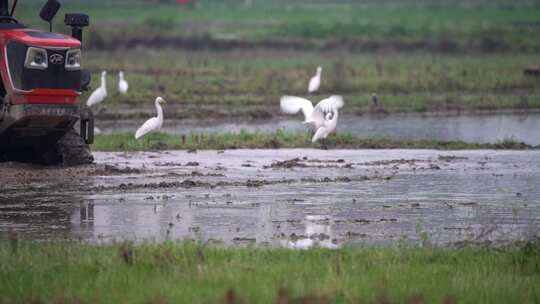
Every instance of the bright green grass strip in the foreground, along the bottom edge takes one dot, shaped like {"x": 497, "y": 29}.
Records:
{"x": 191, "y": 273}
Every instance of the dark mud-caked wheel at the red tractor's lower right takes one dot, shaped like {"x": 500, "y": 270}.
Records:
{"x": 73, "y": 151}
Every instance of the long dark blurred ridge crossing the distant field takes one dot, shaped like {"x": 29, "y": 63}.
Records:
{"x": 446, "y": 45}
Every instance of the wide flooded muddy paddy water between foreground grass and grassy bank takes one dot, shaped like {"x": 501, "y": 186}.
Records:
{"x": 295, "y": 198}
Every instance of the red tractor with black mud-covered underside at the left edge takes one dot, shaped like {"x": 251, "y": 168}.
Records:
{"x": 41, "y": 78}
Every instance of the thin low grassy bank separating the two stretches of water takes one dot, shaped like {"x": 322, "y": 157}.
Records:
{"x": 243, "y": 140}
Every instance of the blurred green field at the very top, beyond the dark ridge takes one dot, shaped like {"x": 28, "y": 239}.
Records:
{"x": 484, "y": 25}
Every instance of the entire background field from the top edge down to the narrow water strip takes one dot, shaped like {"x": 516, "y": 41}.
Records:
{"x": 223, "y": 59}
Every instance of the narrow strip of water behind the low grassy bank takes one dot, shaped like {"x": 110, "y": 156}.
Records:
{"x": 487, "y": 128}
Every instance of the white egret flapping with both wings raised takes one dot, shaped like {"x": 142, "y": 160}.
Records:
{"x": 315, "y": 116}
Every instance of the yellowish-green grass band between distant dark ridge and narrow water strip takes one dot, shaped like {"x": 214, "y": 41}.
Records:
{"x": 210, "y": 84}
